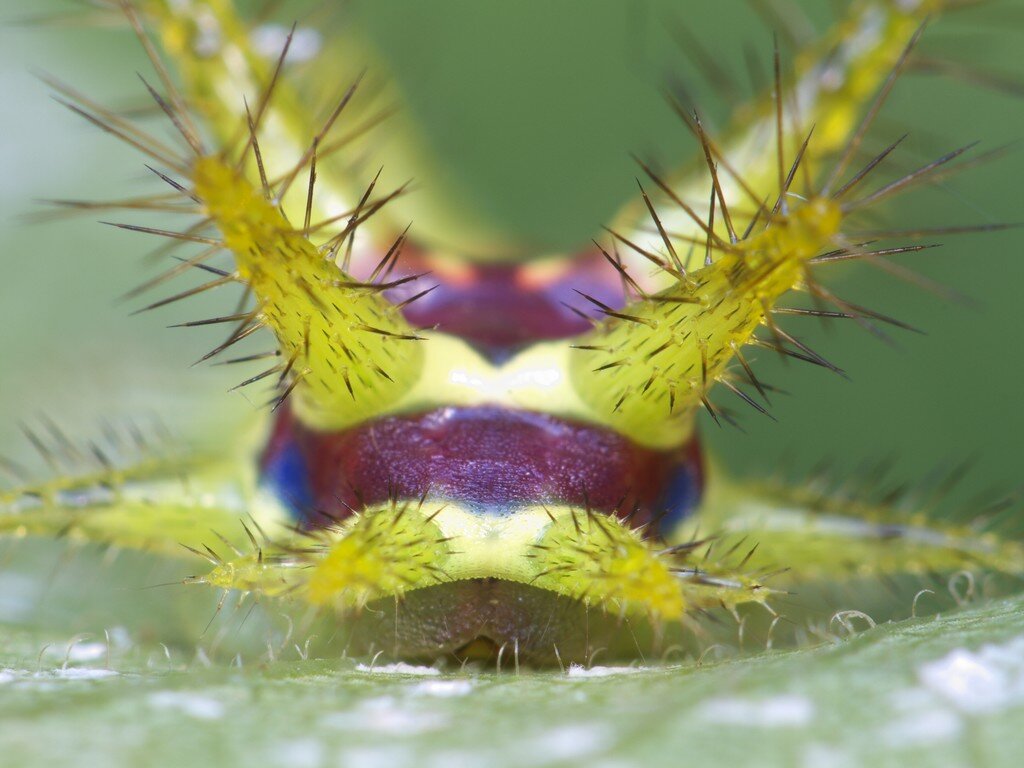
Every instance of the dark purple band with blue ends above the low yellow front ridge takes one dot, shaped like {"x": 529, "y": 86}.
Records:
{"x": 491, "y": 459}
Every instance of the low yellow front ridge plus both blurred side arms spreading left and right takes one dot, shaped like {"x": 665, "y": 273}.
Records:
{"x": 751, "y": 545}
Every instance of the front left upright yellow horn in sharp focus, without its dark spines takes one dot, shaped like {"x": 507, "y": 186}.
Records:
{"x": 349, "y": 353}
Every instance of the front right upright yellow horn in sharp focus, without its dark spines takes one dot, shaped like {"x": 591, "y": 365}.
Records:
{"x": 658, "y": 359}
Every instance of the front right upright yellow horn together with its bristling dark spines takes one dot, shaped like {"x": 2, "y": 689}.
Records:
{"x": 660, "y": 357}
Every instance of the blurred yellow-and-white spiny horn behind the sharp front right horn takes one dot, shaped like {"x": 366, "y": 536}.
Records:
{"x": 832, "y": 82}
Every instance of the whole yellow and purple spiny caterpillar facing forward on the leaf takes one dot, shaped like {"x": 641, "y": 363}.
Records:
{"x": 495, "y": 457}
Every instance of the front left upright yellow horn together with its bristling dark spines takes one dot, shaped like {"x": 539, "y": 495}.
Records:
{"x": 343, "y": 348}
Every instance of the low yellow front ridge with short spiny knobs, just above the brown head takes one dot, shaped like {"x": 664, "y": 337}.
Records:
{"x": 389, "y": 552}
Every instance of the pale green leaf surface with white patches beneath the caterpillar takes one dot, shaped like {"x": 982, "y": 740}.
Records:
{"x": 945, "y": 692}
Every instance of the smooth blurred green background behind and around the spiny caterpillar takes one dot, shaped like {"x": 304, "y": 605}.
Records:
{"x": 529, "y": 112}
